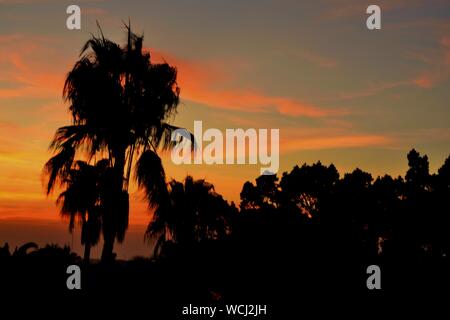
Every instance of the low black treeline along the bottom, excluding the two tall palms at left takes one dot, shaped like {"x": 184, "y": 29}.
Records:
{"x": 309, "y": 231}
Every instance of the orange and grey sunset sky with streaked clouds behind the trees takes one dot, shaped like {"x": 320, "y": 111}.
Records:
{"x": 337, "y": 91}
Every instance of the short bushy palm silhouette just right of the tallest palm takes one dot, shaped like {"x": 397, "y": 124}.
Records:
{"x": 191, "y": 212}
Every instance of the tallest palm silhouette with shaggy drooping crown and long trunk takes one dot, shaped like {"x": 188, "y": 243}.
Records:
{"x": 121, "y": 105}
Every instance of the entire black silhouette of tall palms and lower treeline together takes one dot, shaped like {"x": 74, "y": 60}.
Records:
{"x": 309, "y": 231}
